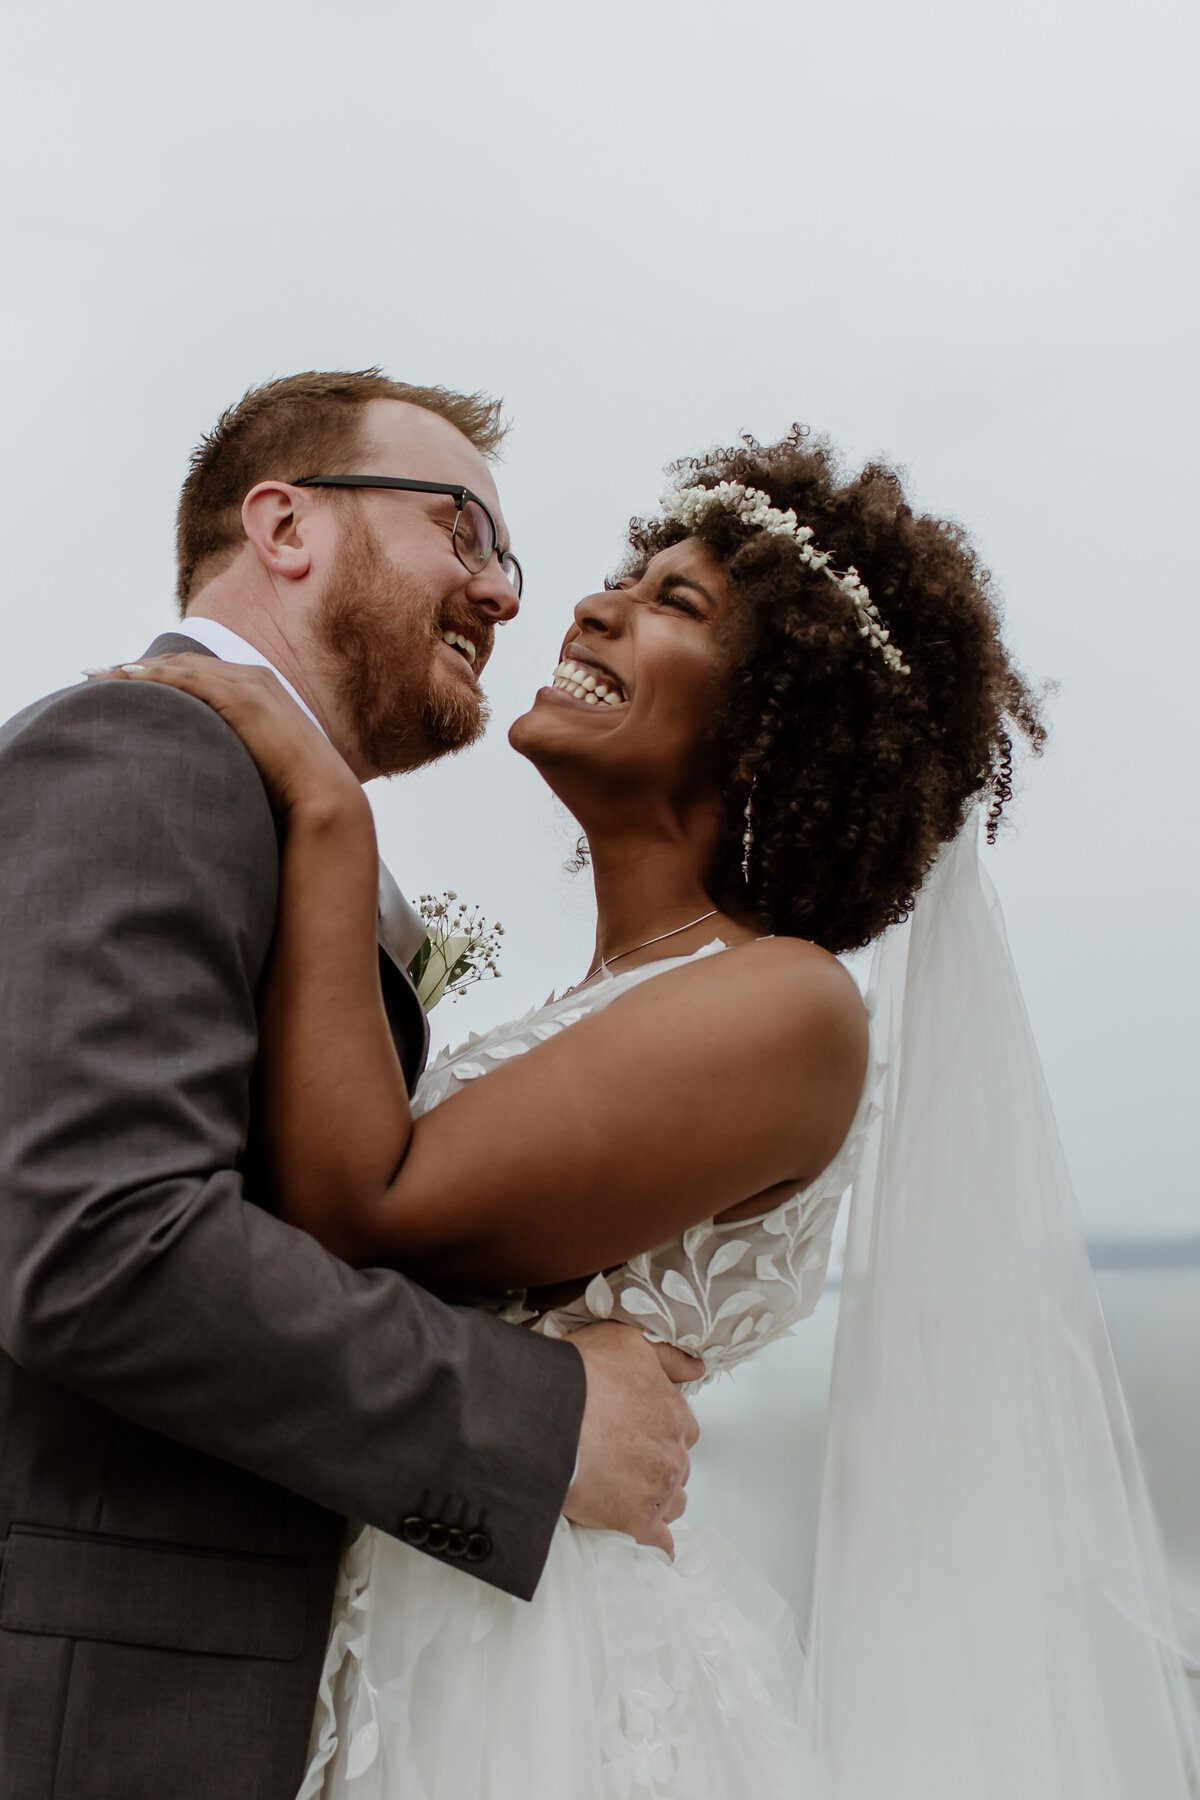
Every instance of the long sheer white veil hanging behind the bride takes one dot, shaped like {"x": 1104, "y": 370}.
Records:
{"x": 990, "y": 1610}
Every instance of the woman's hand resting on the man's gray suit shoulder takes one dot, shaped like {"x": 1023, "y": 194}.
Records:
{"x": 298, "y": 764}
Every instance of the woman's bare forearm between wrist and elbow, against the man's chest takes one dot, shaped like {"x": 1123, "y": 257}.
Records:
{"x": 332, "y": 1095}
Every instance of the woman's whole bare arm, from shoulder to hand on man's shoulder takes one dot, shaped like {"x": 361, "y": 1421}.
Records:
{"x": 676, "y": 1102}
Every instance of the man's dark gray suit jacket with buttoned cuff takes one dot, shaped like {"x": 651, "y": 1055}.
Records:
{"x": 195, "y": 1396}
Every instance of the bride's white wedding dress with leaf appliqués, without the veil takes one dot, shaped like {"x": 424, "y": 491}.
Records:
{"x": 629, "y": 1677}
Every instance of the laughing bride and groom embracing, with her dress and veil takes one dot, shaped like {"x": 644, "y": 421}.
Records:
{"x": 240, "y": 1219}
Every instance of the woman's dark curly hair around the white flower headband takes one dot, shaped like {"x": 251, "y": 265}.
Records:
{"x": 857, "y": 775}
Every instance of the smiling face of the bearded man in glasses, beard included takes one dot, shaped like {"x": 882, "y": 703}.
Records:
{"x": 397, "y": 595}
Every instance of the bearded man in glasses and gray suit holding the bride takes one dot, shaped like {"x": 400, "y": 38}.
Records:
{"x": 195, "y": 1396}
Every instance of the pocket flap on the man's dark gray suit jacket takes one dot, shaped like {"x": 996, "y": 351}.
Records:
{"x": 166, "y": 1597}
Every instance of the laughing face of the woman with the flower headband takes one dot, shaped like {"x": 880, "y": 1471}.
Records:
{"x": 631, "y": 705}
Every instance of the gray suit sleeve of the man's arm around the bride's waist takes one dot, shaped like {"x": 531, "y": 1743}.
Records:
{"x": 136, "y": 913}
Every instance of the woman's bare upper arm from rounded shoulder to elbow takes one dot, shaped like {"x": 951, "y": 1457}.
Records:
{"x": 679, "y": 1101}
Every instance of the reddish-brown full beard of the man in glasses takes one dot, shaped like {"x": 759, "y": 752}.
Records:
{"x": 382, "y": 634}
